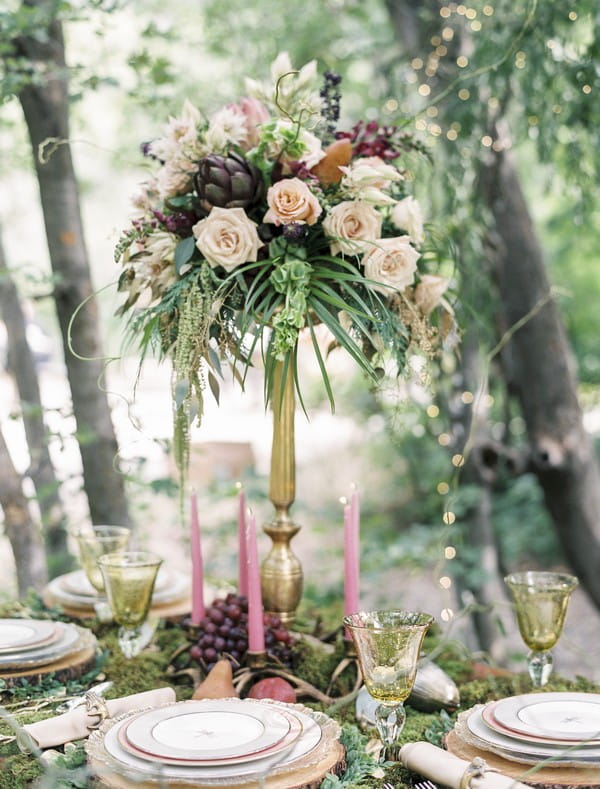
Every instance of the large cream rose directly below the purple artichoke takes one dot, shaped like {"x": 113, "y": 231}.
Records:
{"x": 227, "y": 237}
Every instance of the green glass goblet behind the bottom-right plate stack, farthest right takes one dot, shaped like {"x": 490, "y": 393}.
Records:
{"x": 541, "y": 599}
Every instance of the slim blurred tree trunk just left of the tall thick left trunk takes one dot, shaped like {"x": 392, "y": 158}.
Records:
{"x": 21, "y": 365}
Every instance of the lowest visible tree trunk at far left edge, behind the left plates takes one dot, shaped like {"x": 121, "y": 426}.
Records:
{"x": 22, "y": 533}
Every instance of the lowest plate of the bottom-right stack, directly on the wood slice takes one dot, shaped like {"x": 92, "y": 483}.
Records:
{"x": 527, "y": 752}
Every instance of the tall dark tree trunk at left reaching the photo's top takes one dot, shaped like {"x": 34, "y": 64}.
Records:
{"x": 46, "y": 110}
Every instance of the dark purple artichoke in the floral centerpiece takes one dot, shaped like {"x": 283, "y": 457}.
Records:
{"x": 228, "y": 182}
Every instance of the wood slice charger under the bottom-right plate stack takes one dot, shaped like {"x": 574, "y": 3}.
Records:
{"x": 545, "y": 778}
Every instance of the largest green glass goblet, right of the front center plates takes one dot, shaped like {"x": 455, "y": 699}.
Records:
{"x": 388, "y": 645}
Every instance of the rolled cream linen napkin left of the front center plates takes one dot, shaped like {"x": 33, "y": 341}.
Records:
{"x": 77, "y": 724}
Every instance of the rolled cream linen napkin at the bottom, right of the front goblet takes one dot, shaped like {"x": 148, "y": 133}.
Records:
{"x": 439, "y": 765}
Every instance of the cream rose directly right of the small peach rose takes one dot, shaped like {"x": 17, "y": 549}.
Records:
{"x": 350, "y": 226}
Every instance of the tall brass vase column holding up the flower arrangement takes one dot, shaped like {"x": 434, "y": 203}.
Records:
{"x": 281, "y": 571}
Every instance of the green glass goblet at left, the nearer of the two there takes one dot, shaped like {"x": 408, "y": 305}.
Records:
{"x": 129, "y": 582}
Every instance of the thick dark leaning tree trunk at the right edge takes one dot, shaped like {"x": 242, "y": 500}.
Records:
{"x": 540, "y": 369}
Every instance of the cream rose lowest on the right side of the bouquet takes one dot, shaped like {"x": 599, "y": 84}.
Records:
{"x": 391, "y": 263}
